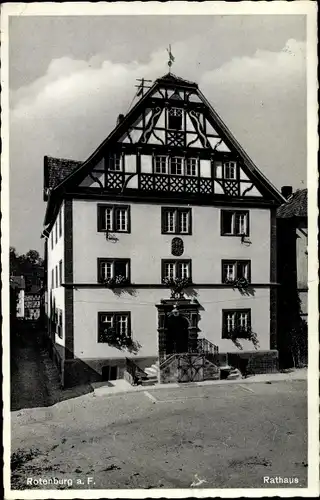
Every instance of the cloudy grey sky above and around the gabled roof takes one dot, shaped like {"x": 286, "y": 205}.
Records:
{"x": 70, "y": 77}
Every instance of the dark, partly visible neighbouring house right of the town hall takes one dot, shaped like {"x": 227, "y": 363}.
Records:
{"x": 292, "y": 230}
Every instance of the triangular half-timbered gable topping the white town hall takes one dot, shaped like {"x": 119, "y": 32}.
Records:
{"x": 172, "y": 143}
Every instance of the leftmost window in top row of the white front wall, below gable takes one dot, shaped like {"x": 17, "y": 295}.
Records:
{"x": 115, "y": 218}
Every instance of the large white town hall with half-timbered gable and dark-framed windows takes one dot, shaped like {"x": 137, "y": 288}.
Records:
{"x": 169, "y": 194}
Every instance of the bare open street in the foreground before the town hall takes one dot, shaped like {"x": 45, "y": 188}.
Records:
{"x": 214, "y": 436}
